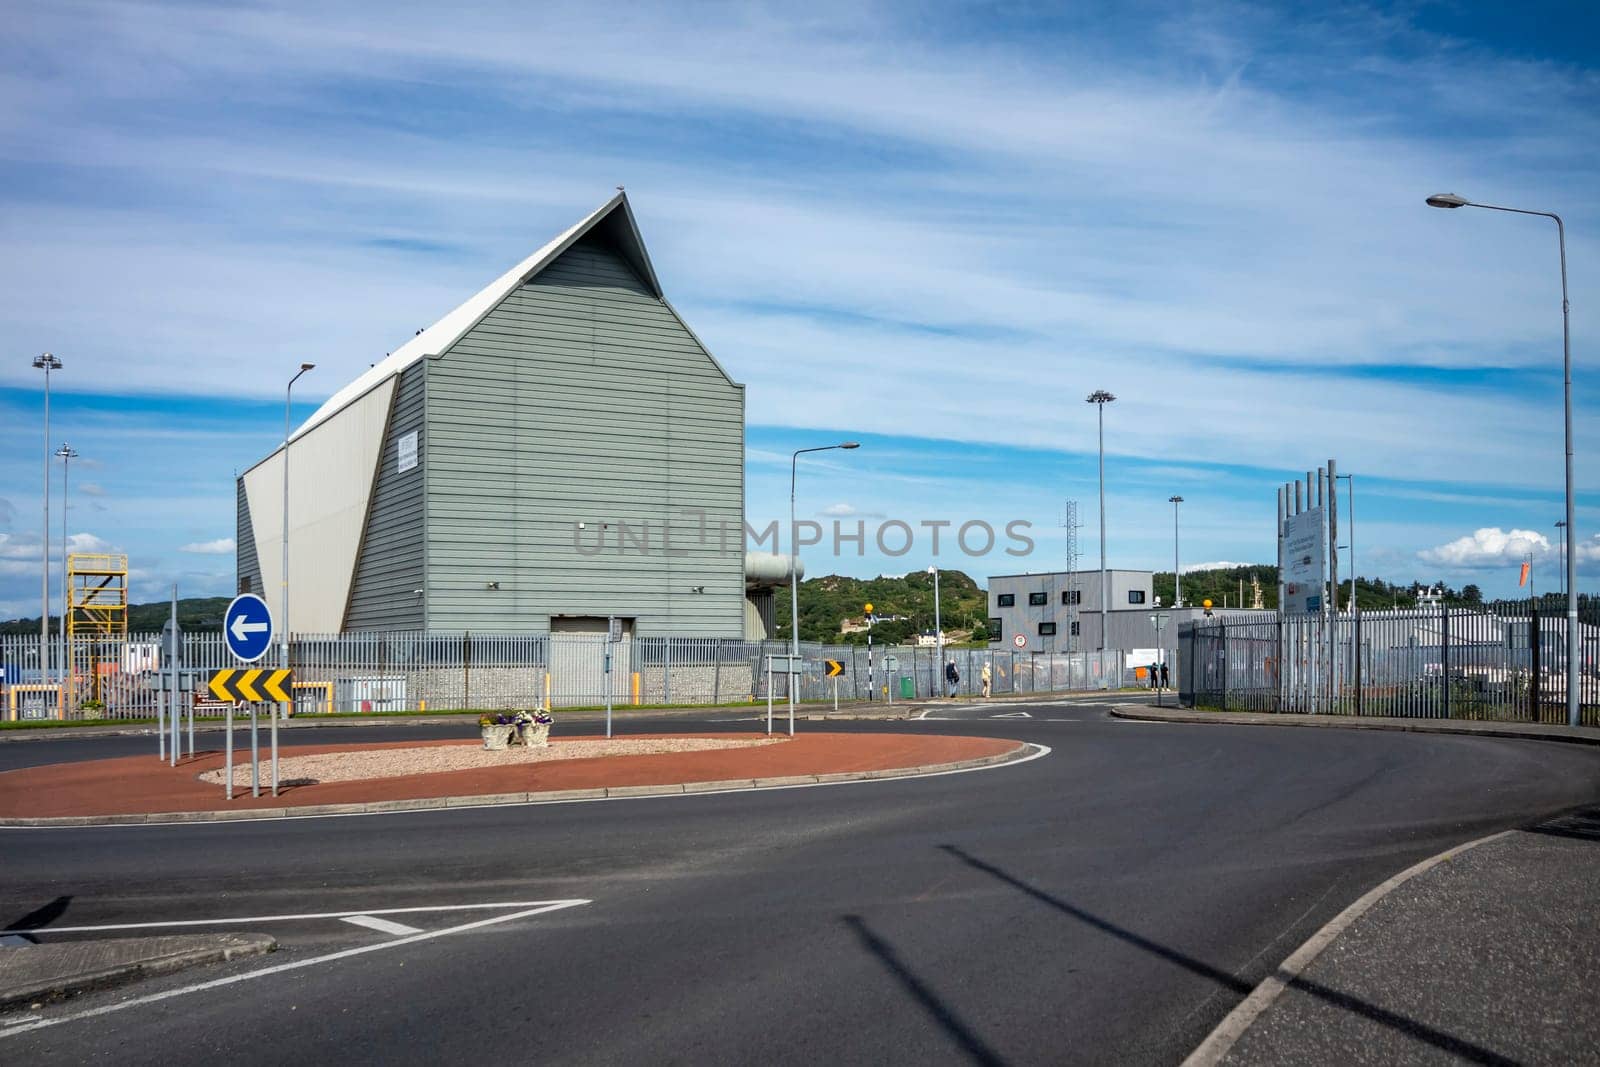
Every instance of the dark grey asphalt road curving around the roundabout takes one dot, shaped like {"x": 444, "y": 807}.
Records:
{"x": 1106, "y": 903}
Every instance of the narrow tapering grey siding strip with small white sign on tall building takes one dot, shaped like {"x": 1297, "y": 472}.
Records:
{"x": 390, "y": 567}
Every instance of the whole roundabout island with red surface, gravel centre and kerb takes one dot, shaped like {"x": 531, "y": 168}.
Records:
{"x": 409, "y": 775}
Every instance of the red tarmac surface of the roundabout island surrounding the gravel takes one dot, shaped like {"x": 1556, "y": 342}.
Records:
{"x": 145, "y": 785}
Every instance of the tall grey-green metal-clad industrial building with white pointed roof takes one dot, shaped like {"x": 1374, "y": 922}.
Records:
{"x": 556, "y": 450}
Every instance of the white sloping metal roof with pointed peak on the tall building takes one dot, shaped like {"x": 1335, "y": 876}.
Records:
{"x": 457, "y": 324}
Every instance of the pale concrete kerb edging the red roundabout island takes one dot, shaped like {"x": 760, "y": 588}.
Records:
{"x": 489, "y": 801}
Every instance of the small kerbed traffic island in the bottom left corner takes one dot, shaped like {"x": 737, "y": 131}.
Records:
{"x": 20, "y": 989}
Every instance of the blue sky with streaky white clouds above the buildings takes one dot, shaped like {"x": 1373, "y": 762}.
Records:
{"x": 929, "y": 228}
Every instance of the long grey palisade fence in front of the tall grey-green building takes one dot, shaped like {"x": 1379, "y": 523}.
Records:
{"x": 414, "y": 671}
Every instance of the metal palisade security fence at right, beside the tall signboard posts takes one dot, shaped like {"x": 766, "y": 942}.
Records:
{"x": 1503, "y": 661}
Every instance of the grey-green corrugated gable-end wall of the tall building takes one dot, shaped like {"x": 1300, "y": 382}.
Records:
{"x": 583, "y": 399}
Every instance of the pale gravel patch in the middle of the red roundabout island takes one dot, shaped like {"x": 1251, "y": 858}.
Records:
{"x": 353, "y": 767}
